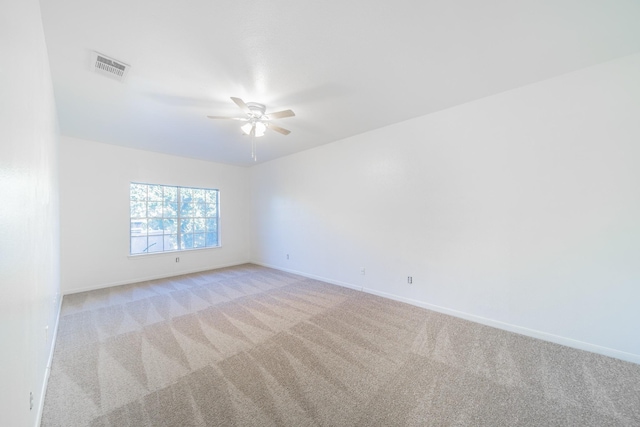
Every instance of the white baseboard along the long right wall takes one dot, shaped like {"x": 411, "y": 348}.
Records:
{"x": 545, "y": 336}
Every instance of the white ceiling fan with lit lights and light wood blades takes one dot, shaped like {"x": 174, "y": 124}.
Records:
{"x": 257, "y": 121}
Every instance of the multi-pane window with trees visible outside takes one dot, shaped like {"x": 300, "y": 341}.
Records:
{"x": 166, "y": 218}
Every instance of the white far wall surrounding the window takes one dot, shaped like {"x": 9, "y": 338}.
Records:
{"x": 94, "y": 206}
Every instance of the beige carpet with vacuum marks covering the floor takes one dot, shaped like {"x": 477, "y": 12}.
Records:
{"x": 251, "y": 346}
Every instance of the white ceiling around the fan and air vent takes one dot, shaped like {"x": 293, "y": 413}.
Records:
{"x": 344, "y": 67}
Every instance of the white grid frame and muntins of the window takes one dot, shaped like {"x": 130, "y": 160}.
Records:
{"x": 178, "y": 222}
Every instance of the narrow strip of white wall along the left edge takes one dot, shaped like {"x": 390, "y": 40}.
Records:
{"x": 29, "y": 262}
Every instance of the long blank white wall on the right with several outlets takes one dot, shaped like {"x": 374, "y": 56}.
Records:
{"x": 520, "y": 210}
